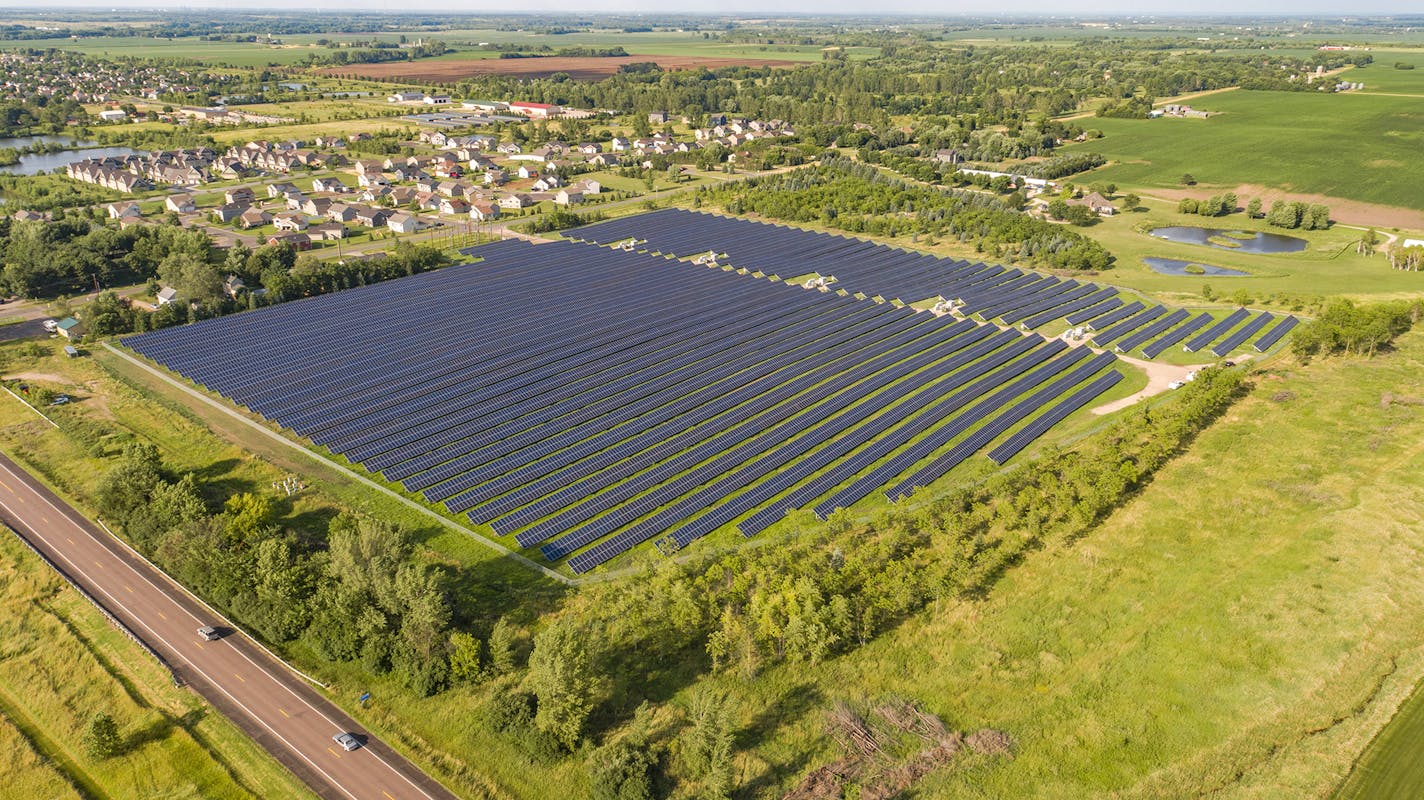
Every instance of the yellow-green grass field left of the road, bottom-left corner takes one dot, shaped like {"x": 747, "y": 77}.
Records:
{"x": 61, "y": 663}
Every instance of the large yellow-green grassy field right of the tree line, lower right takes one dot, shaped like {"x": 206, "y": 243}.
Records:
{"x": 1203, "y": 641}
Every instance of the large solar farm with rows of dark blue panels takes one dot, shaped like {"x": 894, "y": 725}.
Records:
{"x": 585, "y": 401}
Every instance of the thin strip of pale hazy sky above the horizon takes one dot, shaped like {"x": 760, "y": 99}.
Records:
{"x": 926, "y": 8}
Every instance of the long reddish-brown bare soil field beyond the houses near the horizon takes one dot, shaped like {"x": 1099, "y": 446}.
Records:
{"x": 585, "y": 69}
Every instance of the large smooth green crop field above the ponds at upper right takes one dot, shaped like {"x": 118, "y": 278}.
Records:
{"x": 1288, "y": 142}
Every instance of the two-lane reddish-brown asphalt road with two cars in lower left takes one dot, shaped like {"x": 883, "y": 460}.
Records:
{"x": 260, "y": 694}
